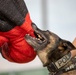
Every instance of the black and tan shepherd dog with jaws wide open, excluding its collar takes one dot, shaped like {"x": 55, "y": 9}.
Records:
{"x": 50, "y": 48}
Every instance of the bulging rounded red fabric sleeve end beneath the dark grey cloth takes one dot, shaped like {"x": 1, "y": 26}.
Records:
{"x": 17, "y": 49}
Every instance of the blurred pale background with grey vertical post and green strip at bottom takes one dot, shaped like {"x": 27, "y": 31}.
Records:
{"x": 58, "y": 16}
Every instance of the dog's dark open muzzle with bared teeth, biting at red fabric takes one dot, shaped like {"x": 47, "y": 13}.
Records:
{"x": 38, "y": 42}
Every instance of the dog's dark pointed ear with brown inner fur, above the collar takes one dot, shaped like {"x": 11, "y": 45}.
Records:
{"x": 65, "y": 47}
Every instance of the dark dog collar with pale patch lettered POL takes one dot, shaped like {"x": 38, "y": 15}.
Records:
{"x": 60, "y": 67}
